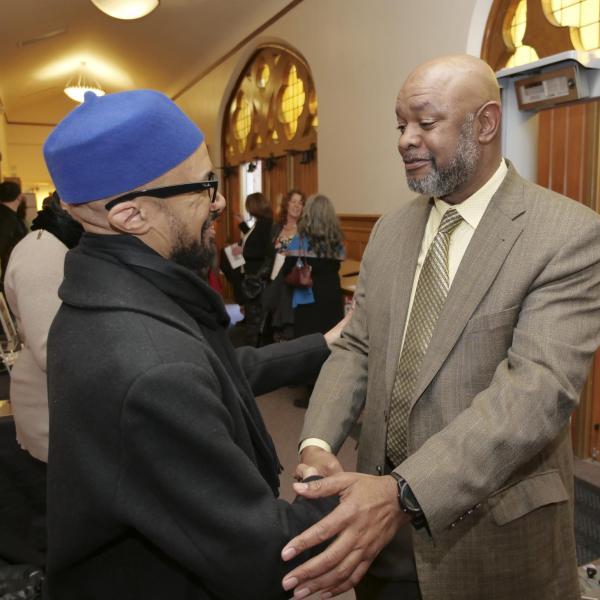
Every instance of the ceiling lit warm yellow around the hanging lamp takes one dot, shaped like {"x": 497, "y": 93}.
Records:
{"x": 42, "y": 42}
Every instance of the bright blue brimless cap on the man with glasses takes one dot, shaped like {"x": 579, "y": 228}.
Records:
{"x": 115, "y": 143}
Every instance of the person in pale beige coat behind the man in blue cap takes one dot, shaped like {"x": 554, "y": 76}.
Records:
{"x": 33, "y": 276}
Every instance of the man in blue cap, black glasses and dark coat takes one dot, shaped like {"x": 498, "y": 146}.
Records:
{"x": 162, "y": 479}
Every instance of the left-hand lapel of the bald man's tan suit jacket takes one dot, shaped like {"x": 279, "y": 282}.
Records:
{"x": 403, "y": 260}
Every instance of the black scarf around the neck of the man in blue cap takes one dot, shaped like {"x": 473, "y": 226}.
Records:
{"x": 206, "y": 307}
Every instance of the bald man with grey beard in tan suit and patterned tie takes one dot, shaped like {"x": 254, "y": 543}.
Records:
{"x": 467, "y": 439}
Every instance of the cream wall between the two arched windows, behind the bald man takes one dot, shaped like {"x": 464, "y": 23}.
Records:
{"x": 359, "y": 52}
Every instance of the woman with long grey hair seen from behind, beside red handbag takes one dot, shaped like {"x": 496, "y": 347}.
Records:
{"x": 320, "y": 243}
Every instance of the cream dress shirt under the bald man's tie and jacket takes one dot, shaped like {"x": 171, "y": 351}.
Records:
{"x": 471, "y": 210}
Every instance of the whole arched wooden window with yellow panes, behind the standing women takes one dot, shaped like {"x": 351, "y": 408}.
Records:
{"x": 270, "y": 131}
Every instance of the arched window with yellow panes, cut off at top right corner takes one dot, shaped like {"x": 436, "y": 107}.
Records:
{"x": 521, "y": 31}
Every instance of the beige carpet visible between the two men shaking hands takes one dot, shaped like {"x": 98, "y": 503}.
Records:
{"x": 284, "y": 422}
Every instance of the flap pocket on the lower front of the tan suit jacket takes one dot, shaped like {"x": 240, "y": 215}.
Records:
{"x": 526, "y": 495}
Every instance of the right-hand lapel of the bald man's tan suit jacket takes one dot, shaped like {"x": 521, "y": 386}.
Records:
{"x": 493, "y": 239}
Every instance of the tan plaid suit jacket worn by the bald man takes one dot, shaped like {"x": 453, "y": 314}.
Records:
{"x": 488, "y": 433}
